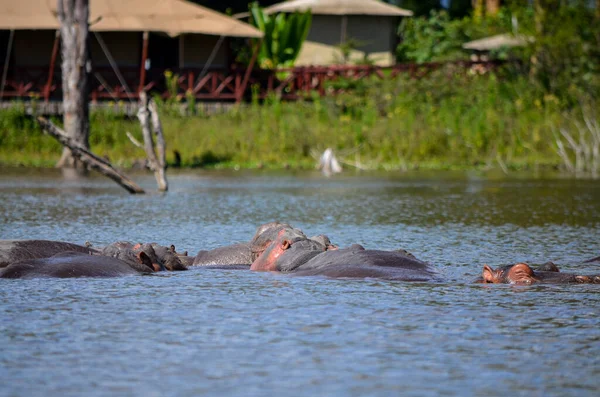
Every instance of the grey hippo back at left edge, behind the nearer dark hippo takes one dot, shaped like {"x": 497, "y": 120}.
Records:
{"x": 12, "y": 251}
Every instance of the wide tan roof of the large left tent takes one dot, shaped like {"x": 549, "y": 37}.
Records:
{"x": 171, "y": 16}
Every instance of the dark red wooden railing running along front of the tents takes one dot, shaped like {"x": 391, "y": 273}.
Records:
{"x": 215, "y": 84}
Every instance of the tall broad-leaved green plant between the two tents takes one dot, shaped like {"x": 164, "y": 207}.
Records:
{"x": 283, "y": 36}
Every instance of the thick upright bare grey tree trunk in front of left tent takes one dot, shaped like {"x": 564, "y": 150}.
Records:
{"x": 76, "y": 66}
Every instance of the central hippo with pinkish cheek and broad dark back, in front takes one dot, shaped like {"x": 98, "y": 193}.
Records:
{"x": 295, "y": 254}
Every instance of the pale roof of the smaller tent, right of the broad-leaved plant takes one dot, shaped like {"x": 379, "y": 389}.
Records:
{"x": 340, "y": 7}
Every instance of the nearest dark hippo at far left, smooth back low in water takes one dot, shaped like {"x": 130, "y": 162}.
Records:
{"x": 71, "y": 264}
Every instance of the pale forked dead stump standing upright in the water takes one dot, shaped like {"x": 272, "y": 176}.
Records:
{"x": 148, "y": 112}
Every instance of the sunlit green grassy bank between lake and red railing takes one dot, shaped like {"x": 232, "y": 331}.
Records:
{"x": 452, "y": 119}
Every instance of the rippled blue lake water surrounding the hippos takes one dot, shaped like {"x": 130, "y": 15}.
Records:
{"x": 240, "y": 333}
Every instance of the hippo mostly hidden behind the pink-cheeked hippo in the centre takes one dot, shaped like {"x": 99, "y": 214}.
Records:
{"x": 242, "y": 255}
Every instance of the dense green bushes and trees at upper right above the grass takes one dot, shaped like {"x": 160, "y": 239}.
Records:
{"x": 563, "y": 56}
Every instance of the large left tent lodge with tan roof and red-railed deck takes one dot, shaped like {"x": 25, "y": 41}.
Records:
{"x": 133, "y": 43}
